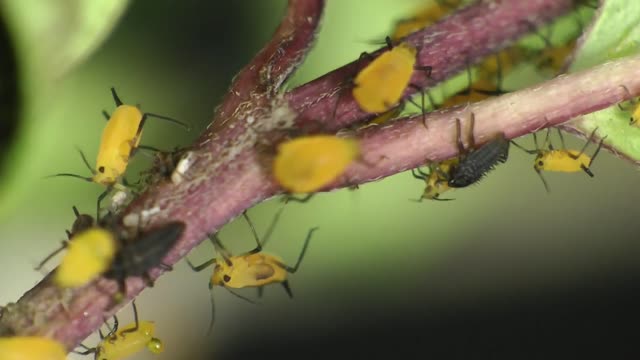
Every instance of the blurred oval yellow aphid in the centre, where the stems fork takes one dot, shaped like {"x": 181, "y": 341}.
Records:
{"x": 308, "y": 163}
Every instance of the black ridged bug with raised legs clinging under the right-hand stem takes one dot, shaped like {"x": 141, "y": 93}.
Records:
{"x": 475, "y": 164}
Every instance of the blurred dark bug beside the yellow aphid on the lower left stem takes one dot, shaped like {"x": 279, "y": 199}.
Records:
{"x": 137, "y": 257}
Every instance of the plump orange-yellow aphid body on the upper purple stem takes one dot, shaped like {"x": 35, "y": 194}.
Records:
{"x": 380, "y": 85}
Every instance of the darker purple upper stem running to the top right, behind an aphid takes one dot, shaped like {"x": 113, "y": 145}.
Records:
{"x": 449, "y": 46}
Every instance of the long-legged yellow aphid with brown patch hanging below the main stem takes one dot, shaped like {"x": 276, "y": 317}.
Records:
{"x": 251, "y": 269}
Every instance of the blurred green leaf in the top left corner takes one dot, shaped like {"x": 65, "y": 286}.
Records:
{"x": 46, "y": 40}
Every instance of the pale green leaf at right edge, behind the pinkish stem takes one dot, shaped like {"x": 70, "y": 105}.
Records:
{"x": 614, "y": 34}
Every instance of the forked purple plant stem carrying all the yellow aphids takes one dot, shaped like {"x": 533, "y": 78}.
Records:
{"x": 230, "y": 172}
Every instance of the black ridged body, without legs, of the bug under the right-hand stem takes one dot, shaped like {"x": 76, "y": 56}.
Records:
{"x": 479, "y": 162}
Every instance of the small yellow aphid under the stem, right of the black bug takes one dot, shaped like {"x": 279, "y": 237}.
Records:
{"x": 561, "y": 160}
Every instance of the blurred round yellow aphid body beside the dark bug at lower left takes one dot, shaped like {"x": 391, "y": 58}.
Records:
{"x": 88, "y": 255}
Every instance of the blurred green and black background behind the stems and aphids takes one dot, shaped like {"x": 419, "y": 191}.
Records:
{"x": 504, "y": 271}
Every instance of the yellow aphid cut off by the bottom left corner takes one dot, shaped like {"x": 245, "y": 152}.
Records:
{"x": 31, "y": 348}
